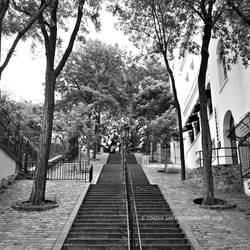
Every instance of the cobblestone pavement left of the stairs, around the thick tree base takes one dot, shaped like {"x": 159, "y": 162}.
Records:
{"x": 39, "y": 230}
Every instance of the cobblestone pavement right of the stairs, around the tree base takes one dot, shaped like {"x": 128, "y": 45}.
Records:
{"x": 213, "y": 229}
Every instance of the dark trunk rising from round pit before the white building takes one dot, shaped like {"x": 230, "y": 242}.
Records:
{"x": 208, "y": 196}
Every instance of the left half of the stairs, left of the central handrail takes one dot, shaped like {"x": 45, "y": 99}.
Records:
{"x": 101, "y": 222}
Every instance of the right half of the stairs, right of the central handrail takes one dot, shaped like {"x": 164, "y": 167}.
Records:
{"x": 157, "y": 224}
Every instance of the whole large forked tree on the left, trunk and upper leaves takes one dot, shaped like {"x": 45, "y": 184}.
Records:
{"x": 46, "y": 30}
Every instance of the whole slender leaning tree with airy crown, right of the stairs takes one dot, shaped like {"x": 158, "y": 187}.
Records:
{"x": 155, "y": 26}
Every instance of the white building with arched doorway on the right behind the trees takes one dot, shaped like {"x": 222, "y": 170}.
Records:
{"x": 228, "y": 95}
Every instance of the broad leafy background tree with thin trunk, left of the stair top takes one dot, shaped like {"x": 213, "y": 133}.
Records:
{"x": 94, "y": 75}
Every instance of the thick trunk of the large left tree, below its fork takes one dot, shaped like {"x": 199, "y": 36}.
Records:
{"x": 38, "y": 190}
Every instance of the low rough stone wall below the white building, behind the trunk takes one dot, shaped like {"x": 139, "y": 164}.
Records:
{"x": 227, "y": 178}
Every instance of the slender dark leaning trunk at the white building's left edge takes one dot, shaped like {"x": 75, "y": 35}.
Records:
{"x": 178, "y": 109}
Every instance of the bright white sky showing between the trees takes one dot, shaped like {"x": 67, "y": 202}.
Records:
{"x": 24, "y": 75}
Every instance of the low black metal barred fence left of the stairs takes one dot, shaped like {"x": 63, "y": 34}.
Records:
{"x": 70, "y": 171}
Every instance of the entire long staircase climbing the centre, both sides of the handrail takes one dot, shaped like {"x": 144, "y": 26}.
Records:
{"x": 102, "y": 220}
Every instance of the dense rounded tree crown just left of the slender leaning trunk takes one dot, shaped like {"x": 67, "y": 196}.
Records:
{"x": 153, "y": 109}
